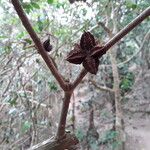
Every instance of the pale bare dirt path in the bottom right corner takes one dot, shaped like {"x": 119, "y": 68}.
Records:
{"x": 138, "y": 131}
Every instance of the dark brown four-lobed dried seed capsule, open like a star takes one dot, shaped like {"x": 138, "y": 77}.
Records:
{"x": 88, "y": 53}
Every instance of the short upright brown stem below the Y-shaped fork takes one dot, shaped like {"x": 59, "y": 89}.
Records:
{"x": 64, "y": 111}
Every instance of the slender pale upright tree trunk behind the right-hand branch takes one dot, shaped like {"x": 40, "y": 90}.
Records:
{"x": 119, "y": 126}
